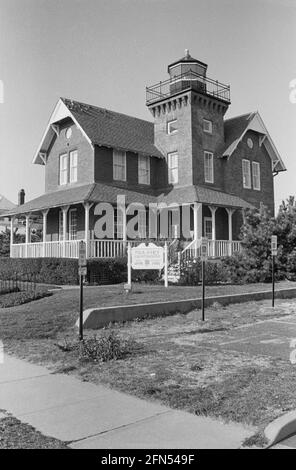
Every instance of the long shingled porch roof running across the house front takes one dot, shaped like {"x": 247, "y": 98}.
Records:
{"x": 99, "y": 192}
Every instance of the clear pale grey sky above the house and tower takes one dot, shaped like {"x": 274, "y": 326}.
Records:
{"x": 105, "y": 52}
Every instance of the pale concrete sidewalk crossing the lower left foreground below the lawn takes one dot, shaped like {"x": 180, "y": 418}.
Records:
{"x": 90, "y": 416}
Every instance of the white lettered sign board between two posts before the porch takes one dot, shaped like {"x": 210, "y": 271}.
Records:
{"x": 147, "y": 256}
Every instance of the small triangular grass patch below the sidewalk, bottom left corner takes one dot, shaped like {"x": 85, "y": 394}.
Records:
{"x": 16, "y": 435}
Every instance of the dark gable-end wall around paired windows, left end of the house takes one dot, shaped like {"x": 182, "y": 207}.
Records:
{"x": 63, "y": 145}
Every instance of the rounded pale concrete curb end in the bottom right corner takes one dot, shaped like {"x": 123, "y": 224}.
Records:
{"x": 281, "y": 428}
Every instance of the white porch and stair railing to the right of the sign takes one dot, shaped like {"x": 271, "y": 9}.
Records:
{"x": 216, "y": 248}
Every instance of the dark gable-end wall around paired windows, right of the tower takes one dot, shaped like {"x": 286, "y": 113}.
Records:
{"x": 234, "y": 178}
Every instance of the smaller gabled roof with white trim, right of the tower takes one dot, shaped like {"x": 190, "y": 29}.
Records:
{"x": 235, "y": 129}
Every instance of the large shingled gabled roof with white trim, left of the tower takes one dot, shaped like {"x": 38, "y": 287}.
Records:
{"x": 101, "y": 127}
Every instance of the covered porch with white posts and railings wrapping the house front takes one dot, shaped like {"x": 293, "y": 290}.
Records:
{"x": 65, "y": 226}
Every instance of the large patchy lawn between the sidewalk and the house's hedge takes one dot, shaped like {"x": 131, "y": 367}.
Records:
{"x": 176, "y": 361}
